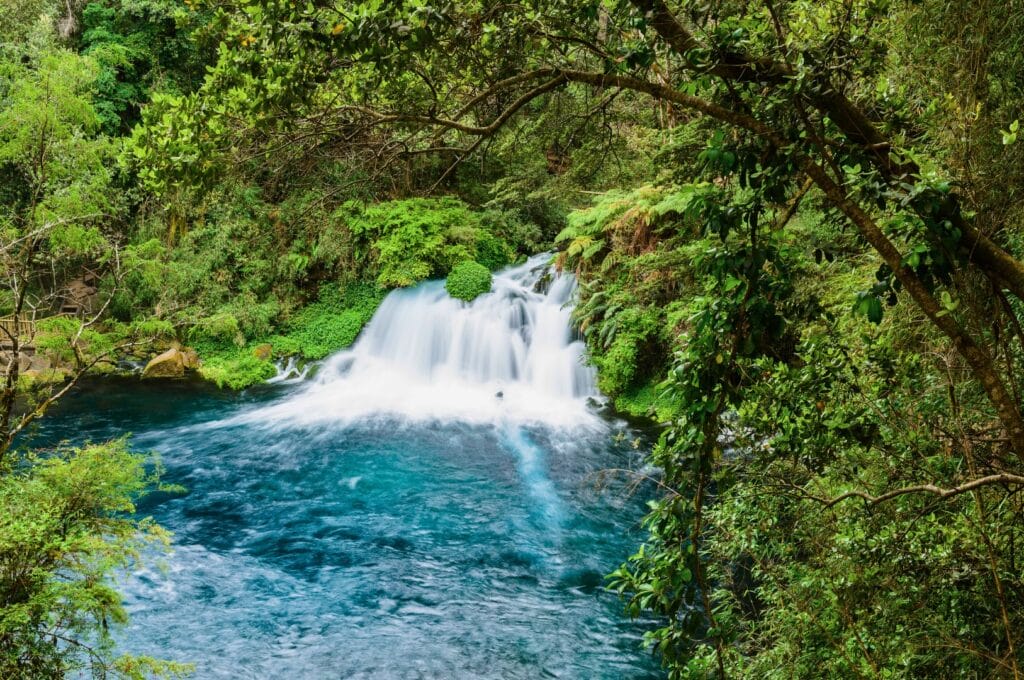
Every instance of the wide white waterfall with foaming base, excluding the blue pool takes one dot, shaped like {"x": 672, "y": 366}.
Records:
{"x": 508, "y": 357}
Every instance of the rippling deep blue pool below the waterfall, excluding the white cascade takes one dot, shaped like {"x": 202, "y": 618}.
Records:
{"x": 375, "y": 550}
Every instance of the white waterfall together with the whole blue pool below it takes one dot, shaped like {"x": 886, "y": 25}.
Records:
{"x": 423, "y": 507}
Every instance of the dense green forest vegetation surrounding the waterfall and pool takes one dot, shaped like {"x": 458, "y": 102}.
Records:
{"x": 797, "y": 228}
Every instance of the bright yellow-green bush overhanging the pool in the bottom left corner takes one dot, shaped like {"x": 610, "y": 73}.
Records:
{"x": 66, "y": 530}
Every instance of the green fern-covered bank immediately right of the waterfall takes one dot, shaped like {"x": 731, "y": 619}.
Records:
{"x": 633, "y": 250}
